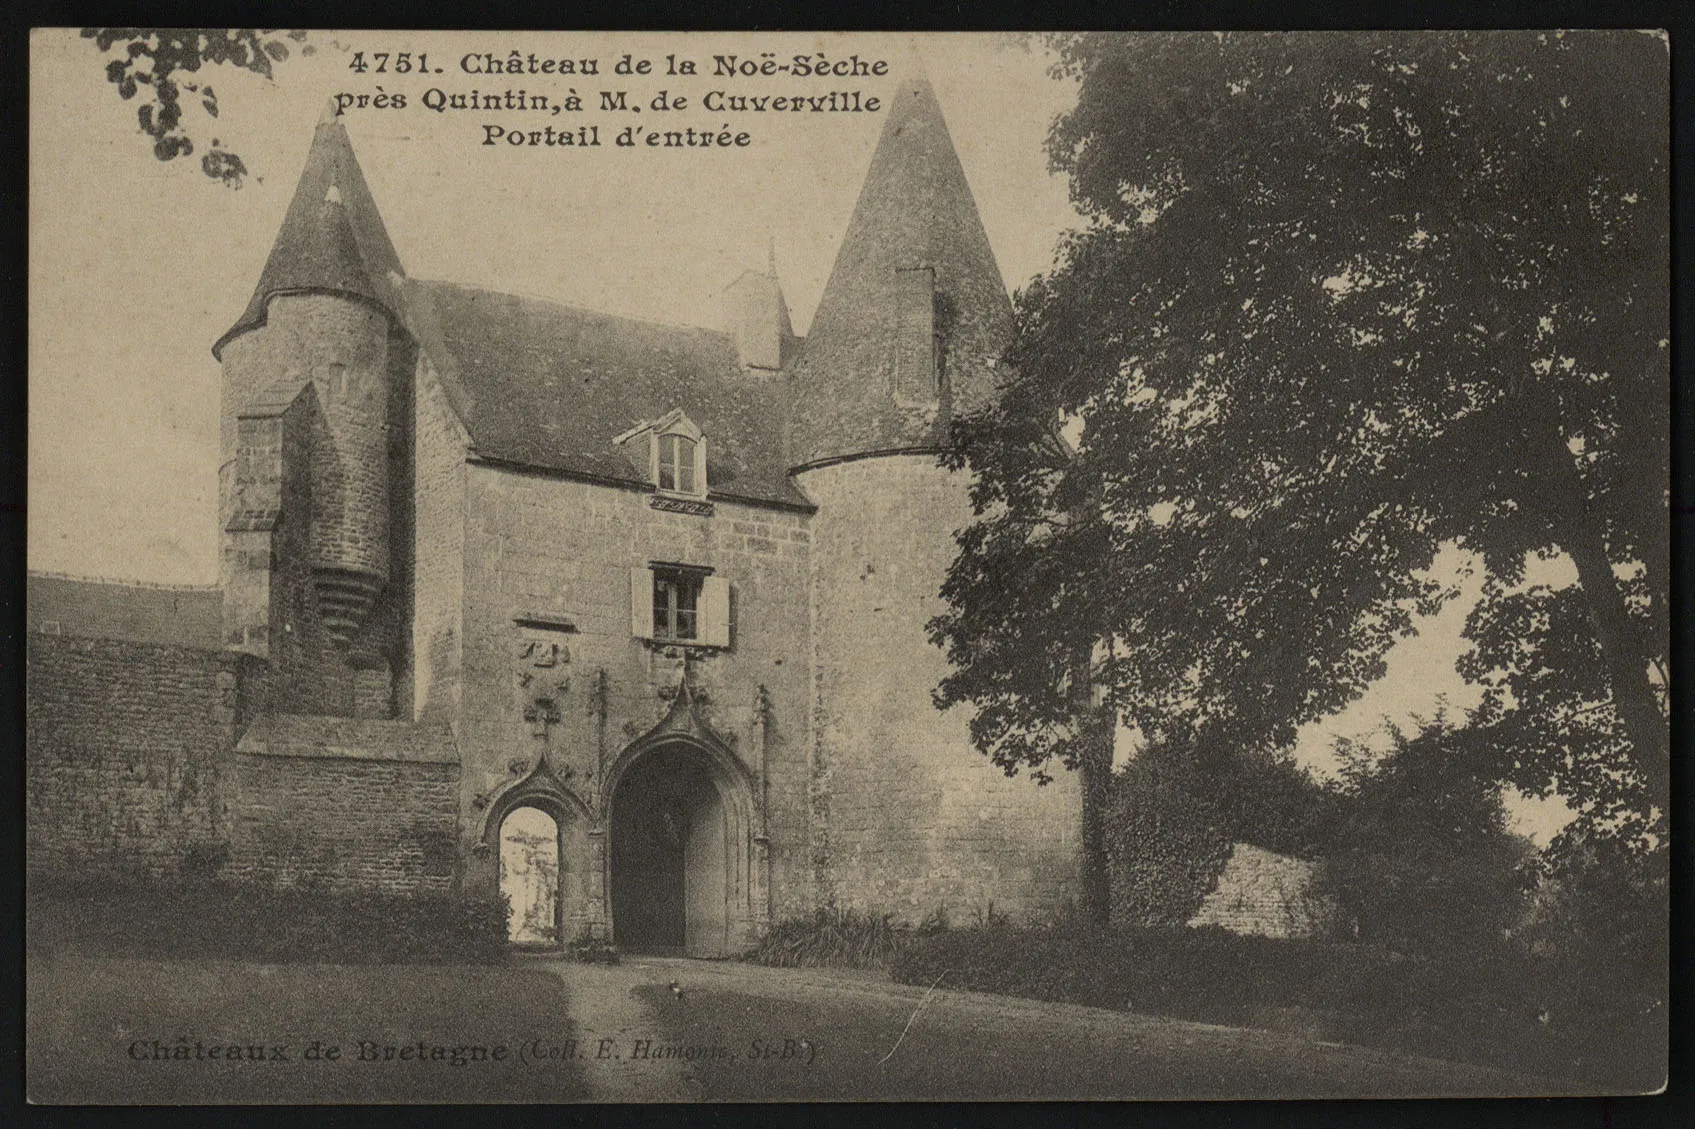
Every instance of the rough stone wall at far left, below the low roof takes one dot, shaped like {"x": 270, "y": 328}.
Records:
{"x": 126, "y": 748}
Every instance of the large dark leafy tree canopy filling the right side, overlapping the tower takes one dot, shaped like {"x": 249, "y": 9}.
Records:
{"x": 1340, "y": 301}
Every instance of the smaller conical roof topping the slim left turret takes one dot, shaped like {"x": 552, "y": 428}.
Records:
{"x": 333, "y": 238}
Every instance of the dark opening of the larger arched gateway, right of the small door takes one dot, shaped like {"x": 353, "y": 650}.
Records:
{"x": 677, "y": 855}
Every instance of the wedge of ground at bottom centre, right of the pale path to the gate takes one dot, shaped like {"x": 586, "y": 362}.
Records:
{"x": 965, "y": 1047}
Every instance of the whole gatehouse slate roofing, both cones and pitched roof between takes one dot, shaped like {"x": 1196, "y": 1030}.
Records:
{"x": 547, "y": 386}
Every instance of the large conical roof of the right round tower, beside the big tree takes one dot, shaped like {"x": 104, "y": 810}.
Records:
{"x": 914, "y": 211}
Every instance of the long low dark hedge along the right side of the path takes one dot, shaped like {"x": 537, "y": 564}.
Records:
{"x": 1474, "y": 1003}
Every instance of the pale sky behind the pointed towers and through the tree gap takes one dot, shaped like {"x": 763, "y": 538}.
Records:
{"x": 138, "y": 265}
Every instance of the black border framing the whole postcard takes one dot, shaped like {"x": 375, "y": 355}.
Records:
{"x": 1672, "y": 1108}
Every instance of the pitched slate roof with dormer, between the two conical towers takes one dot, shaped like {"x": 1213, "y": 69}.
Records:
{"x": 552, "y": 387}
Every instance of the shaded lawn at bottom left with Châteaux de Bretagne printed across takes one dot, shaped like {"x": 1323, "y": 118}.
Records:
{"x": 89, "y": 1016}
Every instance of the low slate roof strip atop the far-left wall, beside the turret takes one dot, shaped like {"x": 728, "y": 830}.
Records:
{"x": 160, "y": 615}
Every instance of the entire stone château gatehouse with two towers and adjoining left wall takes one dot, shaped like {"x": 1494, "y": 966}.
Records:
{"x": 620, "y": 618}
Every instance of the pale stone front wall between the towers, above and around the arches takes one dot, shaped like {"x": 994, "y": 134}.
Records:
{"x": 545, "y": 548}
